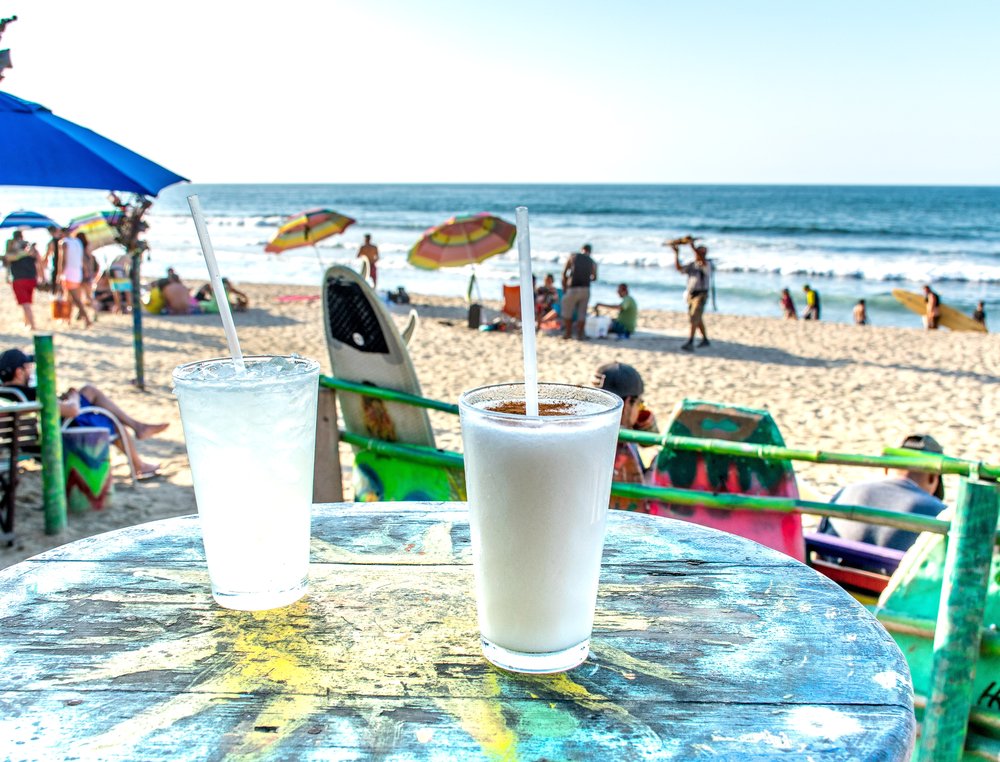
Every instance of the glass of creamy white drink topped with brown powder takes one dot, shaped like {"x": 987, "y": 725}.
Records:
{"x": 538, "y": 490}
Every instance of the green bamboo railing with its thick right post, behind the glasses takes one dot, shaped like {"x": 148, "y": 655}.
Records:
{"x": 959, "y": 637}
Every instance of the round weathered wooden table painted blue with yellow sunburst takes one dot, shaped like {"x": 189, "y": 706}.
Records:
{"x": 705, "y": 646}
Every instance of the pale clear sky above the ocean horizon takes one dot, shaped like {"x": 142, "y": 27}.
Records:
{"x": 791, "y": 91}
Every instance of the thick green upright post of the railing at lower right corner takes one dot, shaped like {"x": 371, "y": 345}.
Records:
{"x": 960, "y": 621}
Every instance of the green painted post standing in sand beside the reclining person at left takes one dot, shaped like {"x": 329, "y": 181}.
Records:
{"x": 53, "y": 478}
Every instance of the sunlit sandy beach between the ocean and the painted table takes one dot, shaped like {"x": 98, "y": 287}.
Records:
{"x": 829, "y": 386}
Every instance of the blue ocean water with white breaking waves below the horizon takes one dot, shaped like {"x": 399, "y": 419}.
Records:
{"x": 846, "y": 242}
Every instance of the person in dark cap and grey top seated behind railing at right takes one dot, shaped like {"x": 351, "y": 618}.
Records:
{"x": 900, "y": 490}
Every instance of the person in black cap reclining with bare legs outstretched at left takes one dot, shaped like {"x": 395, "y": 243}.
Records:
{"x": 15, "y": 371}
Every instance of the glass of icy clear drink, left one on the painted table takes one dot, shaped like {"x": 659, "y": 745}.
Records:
{"x": 251, "y": 443}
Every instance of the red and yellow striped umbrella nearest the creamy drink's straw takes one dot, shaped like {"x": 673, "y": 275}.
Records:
{"x": 462, "y": 240}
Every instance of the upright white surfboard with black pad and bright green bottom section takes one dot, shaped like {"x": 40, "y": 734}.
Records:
{"x": 366, "y": 347}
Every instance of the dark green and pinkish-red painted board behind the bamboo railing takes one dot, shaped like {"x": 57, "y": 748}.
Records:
{"x": 709, "y": 472}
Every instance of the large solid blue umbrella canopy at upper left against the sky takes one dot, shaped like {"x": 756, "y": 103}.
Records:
{"x": 40, "y": 148}
